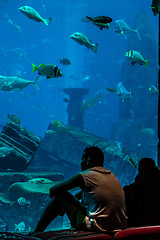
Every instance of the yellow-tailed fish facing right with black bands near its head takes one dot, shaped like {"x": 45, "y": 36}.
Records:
{"x": 48, "y": 70}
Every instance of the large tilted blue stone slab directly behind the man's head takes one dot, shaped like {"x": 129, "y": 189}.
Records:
{"x": 62, "y": 149}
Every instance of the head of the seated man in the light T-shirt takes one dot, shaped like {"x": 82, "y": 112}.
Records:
{"x": 92, "y": 157}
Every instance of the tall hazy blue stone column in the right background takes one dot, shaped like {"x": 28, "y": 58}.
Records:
{"x": 137, "y": 78}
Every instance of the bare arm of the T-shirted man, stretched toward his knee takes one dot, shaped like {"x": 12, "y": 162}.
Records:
{"x": 73, "y": 182}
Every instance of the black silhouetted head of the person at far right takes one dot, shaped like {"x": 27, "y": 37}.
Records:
{"x": 146, "y": 165}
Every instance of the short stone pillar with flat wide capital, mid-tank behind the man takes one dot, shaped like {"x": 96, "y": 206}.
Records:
{"x": 75, "y": 106}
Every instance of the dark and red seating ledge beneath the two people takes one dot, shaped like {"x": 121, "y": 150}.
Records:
{"x": 142, "y": 233}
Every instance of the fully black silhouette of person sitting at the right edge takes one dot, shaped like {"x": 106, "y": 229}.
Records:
{"x": 143, "y": 196}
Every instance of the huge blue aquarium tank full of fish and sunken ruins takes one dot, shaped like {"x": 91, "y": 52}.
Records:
{"x": 73, "y": 74}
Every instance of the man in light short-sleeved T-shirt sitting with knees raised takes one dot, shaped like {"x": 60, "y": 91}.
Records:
{"x": 103, "y": 202}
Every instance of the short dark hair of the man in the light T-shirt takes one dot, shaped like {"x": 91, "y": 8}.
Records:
{"x": 96, "y": 155}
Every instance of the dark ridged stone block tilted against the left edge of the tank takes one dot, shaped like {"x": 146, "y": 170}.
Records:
{"x": 17, "y": 147}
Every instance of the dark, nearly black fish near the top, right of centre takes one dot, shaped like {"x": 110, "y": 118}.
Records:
{"x": 100, "y": 21}
